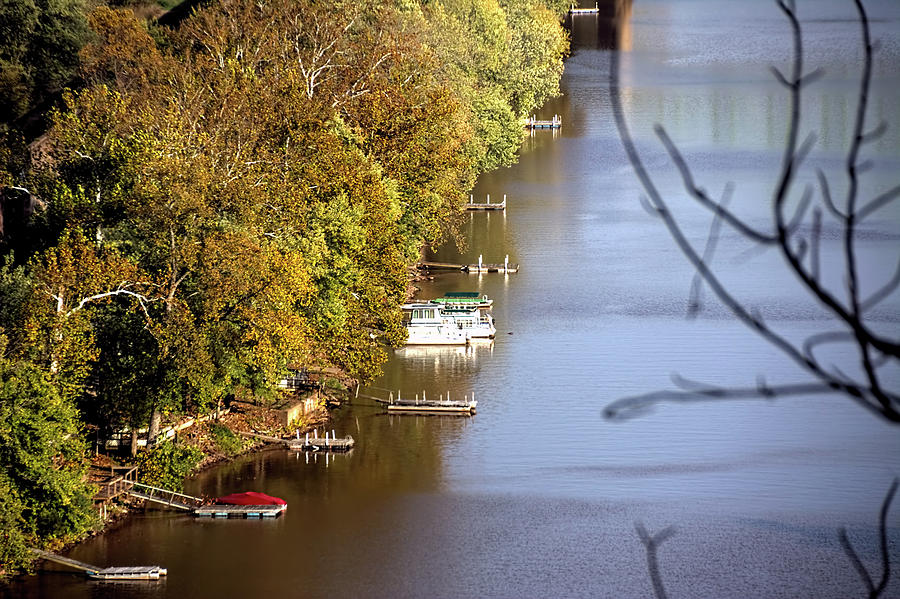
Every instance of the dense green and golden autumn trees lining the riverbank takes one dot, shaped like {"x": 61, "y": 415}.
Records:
{"x": 217, "y": 202}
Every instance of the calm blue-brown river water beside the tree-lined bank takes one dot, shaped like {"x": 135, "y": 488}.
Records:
{"x": 538, "y": 495}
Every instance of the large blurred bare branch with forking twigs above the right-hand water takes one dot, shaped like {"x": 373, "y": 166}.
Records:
{"x": 796, "y": 235}
